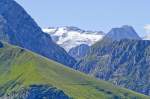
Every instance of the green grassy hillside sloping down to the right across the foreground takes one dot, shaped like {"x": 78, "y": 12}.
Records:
{"x": 27, "y": 68}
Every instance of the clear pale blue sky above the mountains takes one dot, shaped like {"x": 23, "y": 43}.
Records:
{"x": 90, "y": 14}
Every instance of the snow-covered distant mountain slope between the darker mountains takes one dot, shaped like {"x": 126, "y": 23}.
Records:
{"x": 70, "y": 37}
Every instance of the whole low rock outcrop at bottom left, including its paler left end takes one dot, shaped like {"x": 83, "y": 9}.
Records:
{"x": 37, "y": 92}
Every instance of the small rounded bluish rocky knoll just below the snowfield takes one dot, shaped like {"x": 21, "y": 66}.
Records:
{"x": 79, "y": 52}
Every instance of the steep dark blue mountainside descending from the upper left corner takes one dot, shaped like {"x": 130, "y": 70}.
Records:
{"x": 18, "y": 28}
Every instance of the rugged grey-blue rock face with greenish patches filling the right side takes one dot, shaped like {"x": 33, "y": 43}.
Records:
{"x": 125, "y": 63}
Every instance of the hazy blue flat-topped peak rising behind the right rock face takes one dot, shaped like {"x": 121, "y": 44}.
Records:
{"x": 124, "y": 32}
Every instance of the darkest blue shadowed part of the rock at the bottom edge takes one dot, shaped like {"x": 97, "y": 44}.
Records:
{"x": 40, "y": 92}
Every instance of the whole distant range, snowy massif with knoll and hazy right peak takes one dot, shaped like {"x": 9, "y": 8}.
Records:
{"x": 72, "y": 38}
